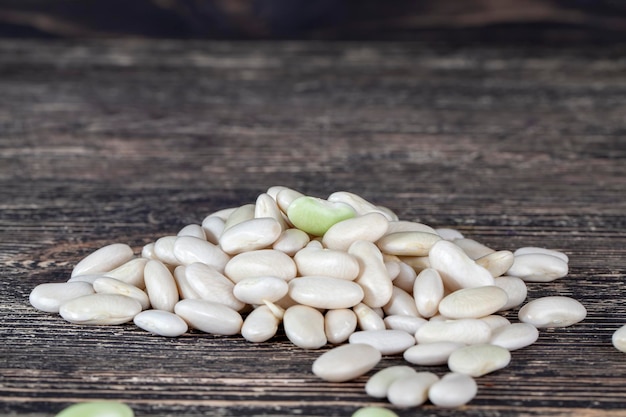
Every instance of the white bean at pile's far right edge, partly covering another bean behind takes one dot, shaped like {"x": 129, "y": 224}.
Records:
{"x": 538, "y": 267}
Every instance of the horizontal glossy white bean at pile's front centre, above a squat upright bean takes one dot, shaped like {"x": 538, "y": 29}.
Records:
{"x": 325, "y": 292}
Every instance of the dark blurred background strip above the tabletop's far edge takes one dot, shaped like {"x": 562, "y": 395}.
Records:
{"x": 570, "y": 21}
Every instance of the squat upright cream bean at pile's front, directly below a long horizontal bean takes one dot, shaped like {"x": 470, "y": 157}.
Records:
{"x": 304, "y": 327}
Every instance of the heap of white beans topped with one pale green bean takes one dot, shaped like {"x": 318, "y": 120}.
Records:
{"x": 339, "y": 271}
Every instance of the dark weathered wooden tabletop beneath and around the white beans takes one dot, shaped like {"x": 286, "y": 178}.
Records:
{"x": 130, "y": 141}
